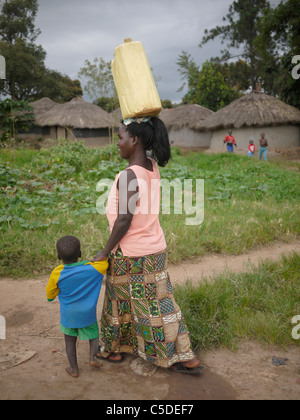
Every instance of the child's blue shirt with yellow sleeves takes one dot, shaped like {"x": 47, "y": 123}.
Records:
{"x": 77, "y": 287}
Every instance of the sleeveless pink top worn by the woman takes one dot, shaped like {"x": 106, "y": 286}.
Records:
{"x": 145, "y": 235}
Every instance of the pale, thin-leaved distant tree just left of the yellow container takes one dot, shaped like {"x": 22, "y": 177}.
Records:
{"x": 99, "y": 79}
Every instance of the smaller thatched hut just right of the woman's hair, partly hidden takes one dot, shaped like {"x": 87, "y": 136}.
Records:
{"x": 182, "y": 124}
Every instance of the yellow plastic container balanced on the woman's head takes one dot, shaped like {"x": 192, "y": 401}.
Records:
{"x": 137, "y": 92}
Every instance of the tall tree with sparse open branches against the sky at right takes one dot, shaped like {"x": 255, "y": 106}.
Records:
{"x": 241, "y": 30}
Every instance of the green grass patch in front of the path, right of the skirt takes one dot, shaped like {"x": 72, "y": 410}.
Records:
{"x": 257, "y": 305}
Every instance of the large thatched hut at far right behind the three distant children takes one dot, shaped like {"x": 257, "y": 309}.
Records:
{"x": 251, "y": 115}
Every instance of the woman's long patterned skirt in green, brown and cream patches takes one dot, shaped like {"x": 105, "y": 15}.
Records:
{"x": 140, "y": 315}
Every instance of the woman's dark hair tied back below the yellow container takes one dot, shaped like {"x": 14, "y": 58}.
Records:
{"x": 154, "y": 136}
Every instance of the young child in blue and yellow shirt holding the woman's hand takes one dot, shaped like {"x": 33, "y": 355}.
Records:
{"x": 77, "y": 285}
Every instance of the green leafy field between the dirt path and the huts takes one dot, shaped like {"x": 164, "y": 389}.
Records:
{"x": 50, "y": 193}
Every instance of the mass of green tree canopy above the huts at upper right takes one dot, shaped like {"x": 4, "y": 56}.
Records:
{"x": 261, "y": 45}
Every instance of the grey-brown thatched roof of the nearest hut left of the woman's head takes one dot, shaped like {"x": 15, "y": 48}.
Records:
{"x": 76, "y": 114}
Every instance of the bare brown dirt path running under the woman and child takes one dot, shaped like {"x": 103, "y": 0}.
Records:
{"x": 32, "y": 326}
